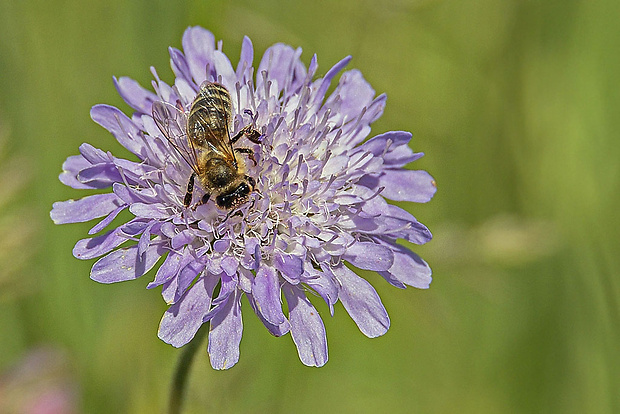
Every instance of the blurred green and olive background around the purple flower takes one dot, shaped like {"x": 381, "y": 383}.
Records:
{"x": 516, "y": 105}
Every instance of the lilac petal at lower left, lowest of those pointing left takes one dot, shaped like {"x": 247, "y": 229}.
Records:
{"x": 125, "y": 264}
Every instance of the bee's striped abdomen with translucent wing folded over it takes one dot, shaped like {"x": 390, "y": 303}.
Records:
{"x": 211, "y": 116}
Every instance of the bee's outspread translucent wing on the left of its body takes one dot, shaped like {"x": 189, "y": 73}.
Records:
{"x": 172, "y": 123}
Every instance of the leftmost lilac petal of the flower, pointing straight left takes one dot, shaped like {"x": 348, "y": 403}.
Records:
{"x": 84, "y": 209}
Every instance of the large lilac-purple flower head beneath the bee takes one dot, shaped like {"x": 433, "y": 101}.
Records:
{"x": 319, "y": 202}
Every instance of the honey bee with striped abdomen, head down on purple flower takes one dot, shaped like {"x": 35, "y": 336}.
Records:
{"x": 202, "y": 138}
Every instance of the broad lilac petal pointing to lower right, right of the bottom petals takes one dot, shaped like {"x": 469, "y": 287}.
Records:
{"x": 362, "y": 303}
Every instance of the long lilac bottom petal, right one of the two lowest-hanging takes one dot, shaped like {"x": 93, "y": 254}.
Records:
{"x": 307, "y": 328}
